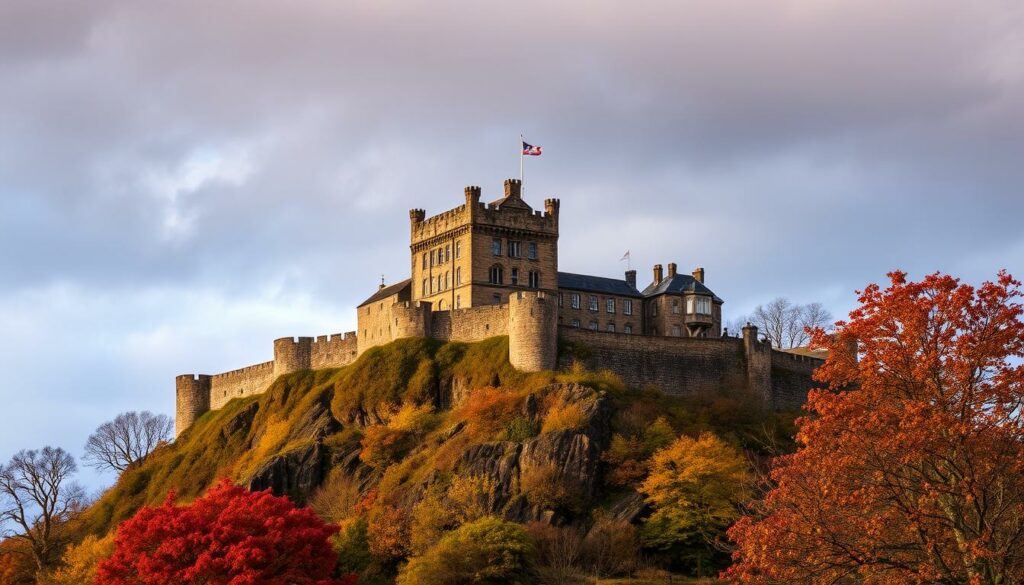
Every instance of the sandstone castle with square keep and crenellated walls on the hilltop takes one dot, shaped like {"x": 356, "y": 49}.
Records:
{"x": 485, "y": 270}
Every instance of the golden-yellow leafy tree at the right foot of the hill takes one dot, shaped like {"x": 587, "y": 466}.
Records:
{"x": 697, "y": 488}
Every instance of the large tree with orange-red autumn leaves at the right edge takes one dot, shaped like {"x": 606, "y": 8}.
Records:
{"x": 911, "y": 469}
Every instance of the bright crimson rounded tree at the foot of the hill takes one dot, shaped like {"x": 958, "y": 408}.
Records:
{"x": 231, "y": 537}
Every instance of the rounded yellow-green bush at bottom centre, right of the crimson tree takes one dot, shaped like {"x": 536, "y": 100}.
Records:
{"x": 487, "y": 552}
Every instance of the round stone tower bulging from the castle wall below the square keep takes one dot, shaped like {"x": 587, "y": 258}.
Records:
{"x": 533, "y": 331}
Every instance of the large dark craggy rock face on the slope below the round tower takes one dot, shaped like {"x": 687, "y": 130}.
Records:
{"x": 570, "y": 456}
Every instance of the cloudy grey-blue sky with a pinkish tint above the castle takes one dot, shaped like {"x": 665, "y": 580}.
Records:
{"x": 182, "y": 183}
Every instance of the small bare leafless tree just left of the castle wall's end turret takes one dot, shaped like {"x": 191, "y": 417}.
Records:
{"x": 130, "y": 438}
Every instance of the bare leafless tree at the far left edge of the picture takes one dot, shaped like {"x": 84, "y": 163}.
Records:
{"x": 37, "y": 499}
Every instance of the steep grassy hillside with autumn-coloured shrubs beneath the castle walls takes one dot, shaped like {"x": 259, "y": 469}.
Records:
{"x": 390, "y": 432}
